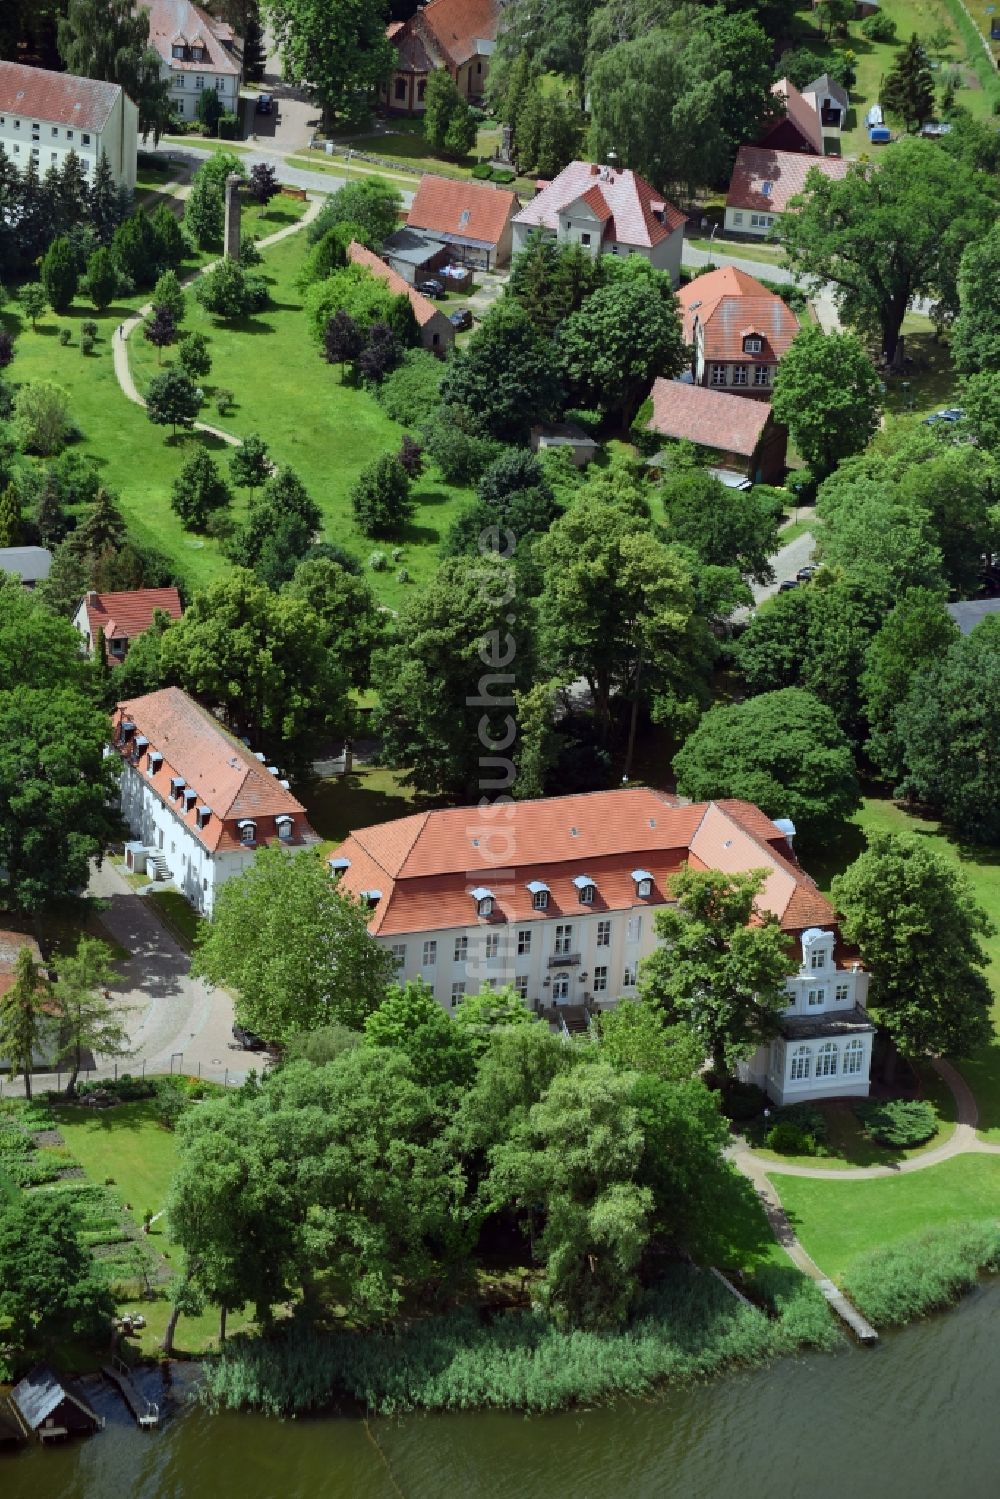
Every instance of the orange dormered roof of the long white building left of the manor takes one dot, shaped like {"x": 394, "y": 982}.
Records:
{"x": 224, "y": 774}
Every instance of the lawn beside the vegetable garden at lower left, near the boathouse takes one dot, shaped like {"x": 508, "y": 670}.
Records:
{"x": 131, "y": 1147}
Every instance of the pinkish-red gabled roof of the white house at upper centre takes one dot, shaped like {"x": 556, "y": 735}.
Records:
{"x": 632, "y": 211}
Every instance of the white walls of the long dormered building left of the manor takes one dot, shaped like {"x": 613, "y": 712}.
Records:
{"x": 184, "y": 858}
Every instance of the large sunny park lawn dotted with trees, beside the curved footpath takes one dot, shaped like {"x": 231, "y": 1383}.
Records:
{"x": 325, "y": 429}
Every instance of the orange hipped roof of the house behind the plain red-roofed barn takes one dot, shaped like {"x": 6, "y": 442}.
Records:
{"x": 729, "y": 304}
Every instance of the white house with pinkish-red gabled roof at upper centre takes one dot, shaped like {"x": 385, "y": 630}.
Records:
{"x": 606, "y": 212}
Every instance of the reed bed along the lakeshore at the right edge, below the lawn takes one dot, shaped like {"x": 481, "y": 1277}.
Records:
{"x": 930, "y": 1270}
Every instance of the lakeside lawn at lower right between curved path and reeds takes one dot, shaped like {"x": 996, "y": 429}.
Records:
{"x": 839, "y": 1221}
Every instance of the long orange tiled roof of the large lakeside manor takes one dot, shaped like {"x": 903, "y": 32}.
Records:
{"x": 427, "y": 866}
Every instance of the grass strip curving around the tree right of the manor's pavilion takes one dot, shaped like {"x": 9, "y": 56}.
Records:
{"x": 981, "y": 867}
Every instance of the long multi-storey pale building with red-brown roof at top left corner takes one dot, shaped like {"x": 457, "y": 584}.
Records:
{"x": 44, "y": 116}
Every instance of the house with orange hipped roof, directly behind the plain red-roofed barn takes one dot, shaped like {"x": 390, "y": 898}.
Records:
{"x": 738, "y": 332}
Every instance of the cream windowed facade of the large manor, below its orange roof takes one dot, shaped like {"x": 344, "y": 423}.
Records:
{"x": 572, "y": 959}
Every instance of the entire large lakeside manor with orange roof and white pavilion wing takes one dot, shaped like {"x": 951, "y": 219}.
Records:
{"x": 560, "y": 902}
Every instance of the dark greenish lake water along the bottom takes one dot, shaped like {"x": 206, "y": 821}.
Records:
{"x": 915, "y": 1419}
